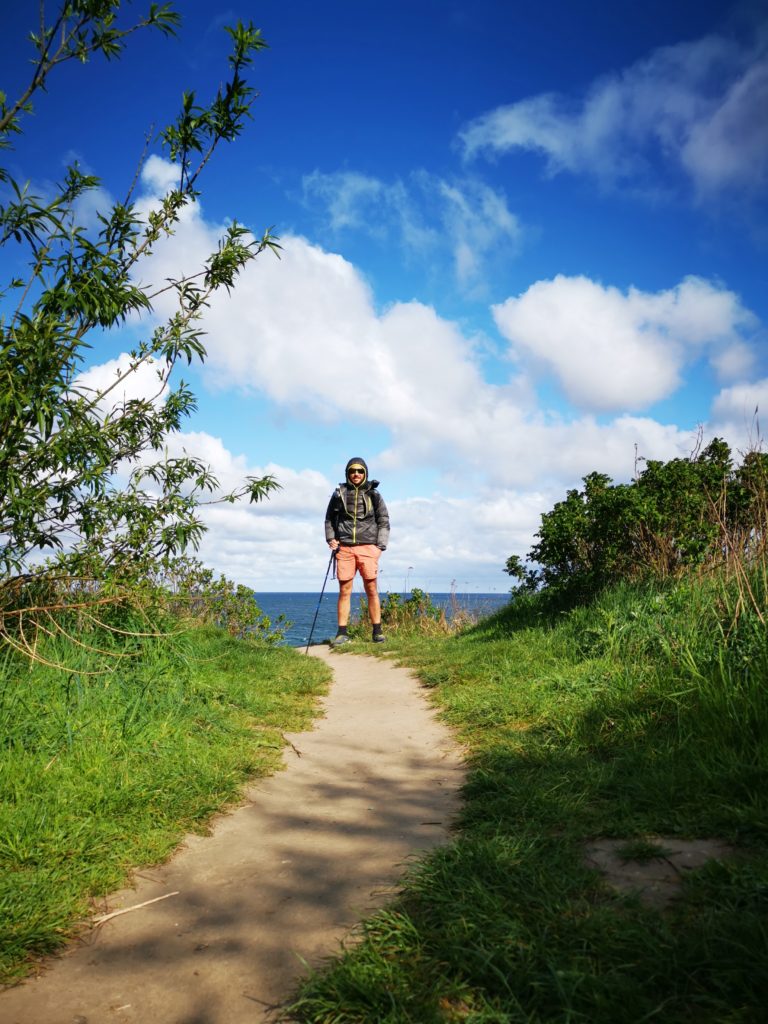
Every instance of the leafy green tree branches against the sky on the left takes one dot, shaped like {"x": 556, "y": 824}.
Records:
{"x": 84, "y": 470}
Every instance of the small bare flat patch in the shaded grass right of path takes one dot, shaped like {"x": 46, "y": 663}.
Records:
{"x": 654, "y": 878}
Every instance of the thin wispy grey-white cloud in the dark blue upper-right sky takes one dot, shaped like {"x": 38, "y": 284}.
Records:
{"x": 699, "y": 106}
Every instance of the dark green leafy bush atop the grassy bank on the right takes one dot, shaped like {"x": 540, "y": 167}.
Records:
{"x": 675, "y": 516}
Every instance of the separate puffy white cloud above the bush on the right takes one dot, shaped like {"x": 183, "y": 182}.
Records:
{"x": 613, "y": 351}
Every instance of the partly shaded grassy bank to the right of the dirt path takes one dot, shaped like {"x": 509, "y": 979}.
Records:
{"x": 643, "y": 715}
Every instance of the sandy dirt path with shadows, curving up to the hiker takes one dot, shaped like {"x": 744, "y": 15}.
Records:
{"x": 280, "y": 881}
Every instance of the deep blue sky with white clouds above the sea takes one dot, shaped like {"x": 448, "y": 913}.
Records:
{"x": 522, "y": 242}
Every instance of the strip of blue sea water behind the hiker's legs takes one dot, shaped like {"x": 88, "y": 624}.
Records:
{"x": 301, "y": 610}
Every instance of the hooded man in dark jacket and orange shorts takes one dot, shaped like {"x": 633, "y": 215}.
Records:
{"x": 358, "y": 529}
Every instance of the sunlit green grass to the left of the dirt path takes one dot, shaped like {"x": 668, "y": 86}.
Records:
{"x": 100, "y": 775}
